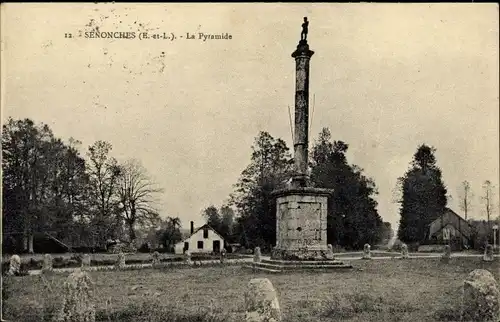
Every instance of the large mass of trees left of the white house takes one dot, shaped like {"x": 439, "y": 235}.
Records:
{"x": 50, "y": 189}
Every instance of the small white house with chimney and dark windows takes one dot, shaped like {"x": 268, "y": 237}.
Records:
{"x": 202, "y": 240}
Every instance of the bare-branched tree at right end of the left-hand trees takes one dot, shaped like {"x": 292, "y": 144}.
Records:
{"x": 136, "y": 193}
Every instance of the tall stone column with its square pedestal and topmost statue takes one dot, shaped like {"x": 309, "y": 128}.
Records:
{"x": 301, "y": 216}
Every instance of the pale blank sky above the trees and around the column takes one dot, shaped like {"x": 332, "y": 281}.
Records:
{"x": 385, "y": 78}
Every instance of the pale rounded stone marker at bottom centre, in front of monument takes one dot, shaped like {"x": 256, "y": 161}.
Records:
{"x": 261, "y": 302}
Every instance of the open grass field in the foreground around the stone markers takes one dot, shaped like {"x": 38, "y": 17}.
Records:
{"x": 384, "y": 290}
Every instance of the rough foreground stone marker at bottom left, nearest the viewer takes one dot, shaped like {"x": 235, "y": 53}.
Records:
{"x": 78, "y": 299}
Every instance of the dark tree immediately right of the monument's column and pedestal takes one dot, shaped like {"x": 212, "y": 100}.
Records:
{"x": 353, "y": 219}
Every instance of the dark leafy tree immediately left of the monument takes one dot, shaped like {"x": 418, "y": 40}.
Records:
{"x": 269, "y": 168}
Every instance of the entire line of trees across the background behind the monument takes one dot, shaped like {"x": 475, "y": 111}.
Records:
{"x": 50, "y": 188}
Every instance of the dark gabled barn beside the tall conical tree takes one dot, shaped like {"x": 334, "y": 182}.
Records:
{"x": 450, "y": 228}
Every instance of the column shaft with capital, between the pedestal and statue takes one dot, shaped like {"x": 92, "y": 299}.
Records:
{"x": 302, "y": 57}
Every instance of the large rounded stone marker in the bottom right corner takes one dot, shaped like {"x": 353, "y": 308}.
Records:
{"x": 481, "y": 297}
